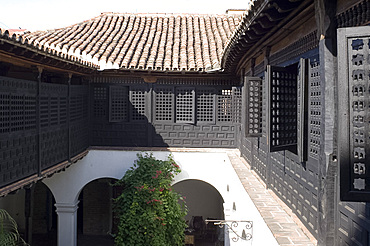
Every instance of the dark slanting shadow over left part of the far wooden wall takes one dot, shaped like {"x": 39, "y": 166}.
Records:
{"x": 117, "y": 122}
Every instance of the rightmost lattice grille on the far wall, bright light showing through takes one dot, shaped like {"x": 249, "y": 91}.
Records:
{"x": 225, "y": 106}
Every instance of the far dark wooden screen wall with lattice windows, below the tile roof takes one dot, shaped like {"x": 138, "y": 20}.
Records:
{"x": 165, "y": 115}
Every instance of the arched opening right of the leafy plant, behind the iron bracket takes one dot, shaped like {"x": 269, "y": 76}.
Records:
{"x": 203, "y": 202}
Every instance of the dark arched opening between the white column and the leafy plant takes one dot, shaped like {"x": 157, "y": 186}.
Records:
{"x": 95, "y": 214}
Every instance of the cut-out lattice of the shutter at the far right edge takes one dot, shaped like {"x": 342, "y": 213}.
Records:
{"x": 359, "y": 110}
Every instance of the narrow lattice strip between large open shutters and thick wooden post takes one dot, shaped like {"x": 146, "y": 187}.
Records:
{"x": 315, "y": 110}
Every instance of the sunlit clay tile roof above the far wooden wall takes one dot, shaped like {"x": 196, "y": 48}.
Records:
{"x": 160, "y": 42}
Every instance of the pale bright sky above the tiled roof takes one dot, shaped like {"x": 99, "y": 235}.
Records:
{"x": 49, "y": 14}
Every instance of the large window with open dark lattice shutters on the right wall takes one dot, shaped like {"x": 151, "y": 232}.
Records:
{"x": 288, "y": 108}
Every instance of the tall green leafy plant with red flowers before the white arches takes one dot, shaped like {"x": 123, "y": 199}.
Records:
{"x": 148, "y": 209}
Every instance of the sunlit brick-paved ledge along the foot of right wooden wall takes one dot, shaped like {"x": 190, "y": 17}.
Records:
{"x": 283, "y": 223}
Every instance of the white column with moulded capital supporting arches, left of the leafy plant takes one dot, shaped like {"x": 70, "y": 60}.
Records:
{"x": 67, "y": 223}
